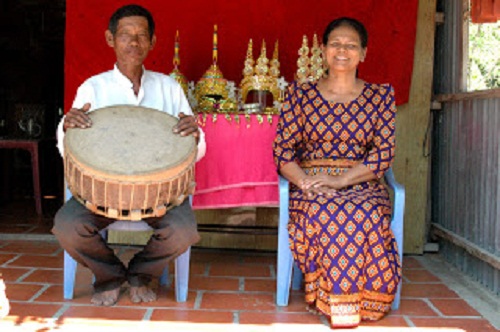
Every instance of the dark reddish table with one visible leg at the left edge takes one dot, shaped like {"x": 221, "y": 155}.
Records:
{"x": 30, "y": 145}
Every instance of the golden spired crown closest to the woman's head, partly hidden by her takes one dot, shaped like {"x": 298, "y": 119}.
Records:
{"x": 309, "y": 67}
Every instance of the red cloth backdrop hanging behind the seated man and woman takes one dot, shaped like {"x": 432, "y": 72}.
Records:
{"x": 391, "y": 25}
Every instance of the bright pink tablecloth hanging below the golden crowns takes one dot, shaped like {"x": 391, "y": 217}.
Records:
{"x": 238, "y": 168}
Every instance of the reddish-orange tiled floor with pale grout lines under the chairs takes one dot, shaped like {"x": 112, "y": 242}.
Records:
{"x": 228, "y": 291}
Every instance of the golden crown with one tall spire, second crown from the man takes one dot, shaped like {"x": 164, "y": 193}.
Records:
{"x": 211, "y": 91}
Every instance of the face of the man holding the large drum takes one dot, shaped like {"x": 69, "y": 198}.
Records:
{"x": 132, "y": 41}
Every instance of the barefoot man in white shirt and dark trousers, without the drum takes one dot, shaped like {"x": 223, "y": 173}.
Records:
{"x": 131, "y": 35}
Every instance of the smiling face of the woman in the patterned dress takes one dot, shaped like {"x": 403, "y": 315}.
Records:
{"x": 343, "y": 51}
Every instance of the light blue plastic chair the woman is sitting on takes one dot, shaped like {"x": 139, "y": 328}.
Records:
{"x": 286, "y": 268}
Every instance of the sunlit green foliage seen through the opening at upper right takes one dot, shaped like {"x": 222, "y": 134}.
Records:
{"x": 484, "y": 61}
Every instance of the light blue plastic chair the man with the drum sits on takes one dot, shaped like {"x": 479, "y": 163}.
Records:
{"x": 181, "y": 262}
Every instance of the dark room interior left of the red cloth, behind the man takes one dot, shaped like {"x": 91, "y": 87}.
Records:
{"x": 31, "y": 101}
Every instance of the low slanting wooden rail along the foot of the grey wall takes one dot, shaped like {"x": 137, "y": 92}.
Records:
{"x": 465, "y": 244}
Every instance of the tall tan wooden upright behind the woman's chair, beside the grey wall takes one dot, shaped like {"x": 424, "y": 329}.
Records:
{"x": 412, "y": 162}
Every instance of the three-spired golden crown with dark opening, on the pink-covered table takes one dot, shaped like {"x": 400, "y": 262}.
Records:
{"x": 262, "y": 77}
